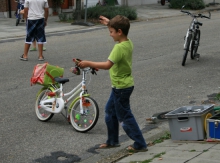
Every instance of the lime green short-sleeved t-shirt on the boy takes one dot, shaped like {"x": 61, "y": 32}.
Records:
{"x": 120, "y": 72}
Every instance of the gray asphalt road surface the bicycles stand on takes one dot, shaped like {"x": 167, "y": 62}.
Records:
{"x": 161, "y": 84}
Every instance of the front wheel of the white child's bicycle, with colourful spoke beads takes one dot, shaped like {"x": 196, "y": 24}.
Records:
{"x": 86, "y": 121}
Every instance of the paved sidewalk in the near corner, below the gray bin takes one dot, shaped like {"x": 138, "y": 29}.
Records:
{"x": 170, "y": 151}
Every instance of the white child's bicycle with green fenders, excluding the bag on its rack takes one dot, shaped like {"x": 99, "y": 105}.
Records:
{"x": 82, "y": 113}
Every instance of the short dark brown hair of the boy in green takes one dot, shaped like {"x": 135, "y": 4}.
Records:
{"x": 120, "y": 22}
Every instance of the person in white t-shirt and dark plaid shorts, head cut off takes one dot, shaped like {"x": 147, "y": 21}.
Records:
{"x": 36, "y": 14}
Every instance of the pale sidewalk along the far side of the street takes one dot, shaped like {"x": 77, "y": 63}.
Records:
{"x": 8, "y": 29}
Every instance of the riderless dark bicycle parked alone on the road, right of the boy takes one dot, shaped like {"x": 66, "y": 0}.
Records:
{"x": 192, "y": 37}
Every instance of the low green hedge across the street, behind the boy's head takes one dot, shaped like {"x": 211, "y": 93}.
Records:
{"x": 110, "y": 12}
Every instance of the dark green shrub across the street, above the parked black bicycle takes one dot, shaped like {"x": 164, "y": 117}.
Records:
{"x": 189, "y": 4}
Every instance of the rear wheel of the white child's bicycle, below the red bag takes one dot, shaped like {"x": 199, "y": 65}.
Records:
{"x": 42, "y": 114}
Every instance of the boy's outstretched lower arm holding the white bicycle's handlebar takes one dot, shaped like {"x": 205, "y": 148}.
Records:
{"x": 101, "y": 65}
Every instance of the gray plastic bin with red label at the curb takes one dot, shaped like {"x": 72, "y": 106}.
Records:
{"x": 188, "y": 122}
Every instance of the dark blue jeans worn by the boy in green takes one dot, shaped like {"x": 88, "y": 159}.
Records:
{"x": 117, "y": 111}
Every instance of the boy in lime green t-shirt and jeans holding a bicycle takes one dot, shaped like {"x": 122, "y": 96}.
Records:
{"x": 117, "y": 109}
